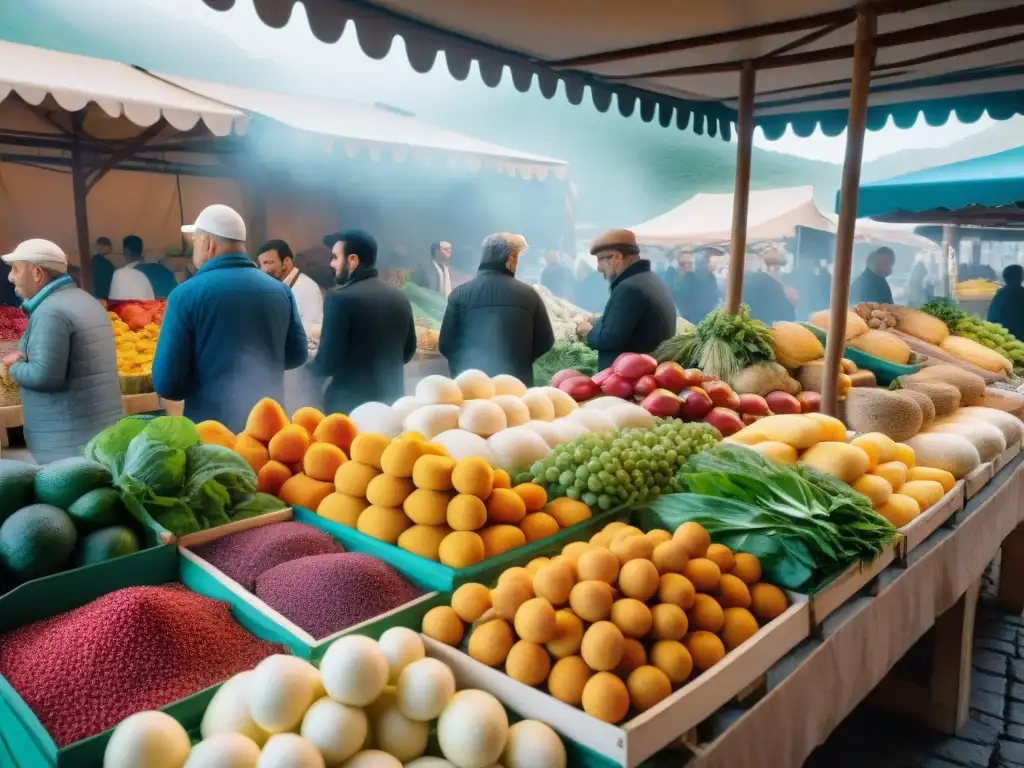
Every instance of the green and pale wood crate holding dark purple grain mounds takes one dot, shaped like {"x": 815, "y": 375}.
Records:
{"x": 203, "y": 578}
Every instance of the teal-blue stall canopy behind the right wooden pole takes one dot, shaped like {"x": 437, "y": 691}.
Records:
{"x": 983, "y": 189}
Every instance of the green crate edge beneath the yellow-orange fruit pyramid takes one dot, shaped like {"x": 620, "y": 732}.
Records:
{"x": 441, "y": 577}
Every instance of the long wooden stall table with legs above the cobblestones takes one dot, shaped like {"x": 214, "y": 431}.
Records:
{"x": 851, "y": 654}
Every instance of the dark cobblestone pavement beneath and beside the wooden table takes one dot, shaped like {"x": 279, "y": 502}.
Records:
{"x": 994, "y": 736}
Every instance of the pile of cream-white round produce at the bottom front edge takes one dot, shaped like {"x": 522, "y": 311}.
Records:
{"x": 285, "y": 712}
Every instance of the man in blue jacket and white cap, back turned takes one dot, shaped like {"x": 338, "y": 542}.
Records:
{"x": 231, "y": 332}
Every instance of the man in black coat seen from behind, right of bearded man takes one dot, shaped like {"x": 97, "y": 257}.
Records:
{"x": 494, "y": 323}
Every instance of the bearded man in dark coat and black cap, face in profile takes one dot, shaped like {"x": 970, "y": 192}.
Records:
{"x": 368, "y": 334}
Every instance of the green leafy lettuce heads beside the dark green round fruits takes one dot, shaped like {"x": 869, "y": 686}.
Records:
{"x": 164, "y": 473}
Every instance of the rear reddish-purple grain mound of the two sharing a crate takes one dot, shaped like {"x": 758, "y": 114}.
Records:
{"x": 246, "y": 556}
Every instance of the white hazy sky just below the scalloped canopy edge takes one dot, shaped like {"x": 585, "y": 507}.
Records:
{"x": 394, "y": 81}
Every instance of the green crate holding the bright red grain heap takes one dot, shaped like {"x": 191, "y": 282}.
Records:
{"x": 25, "y": 736}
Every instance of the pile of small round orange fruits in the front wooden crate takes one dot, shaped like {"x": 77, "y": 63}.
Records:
{"x": 615, "y": 625}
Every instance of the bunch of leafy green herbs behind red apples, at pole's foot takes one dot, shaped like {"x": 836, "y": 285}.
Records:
{"x": 721, "y": 345}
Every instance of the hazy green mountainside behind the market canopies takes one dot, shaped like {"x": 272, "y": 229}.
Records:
{"x": 627, "y": 172}
